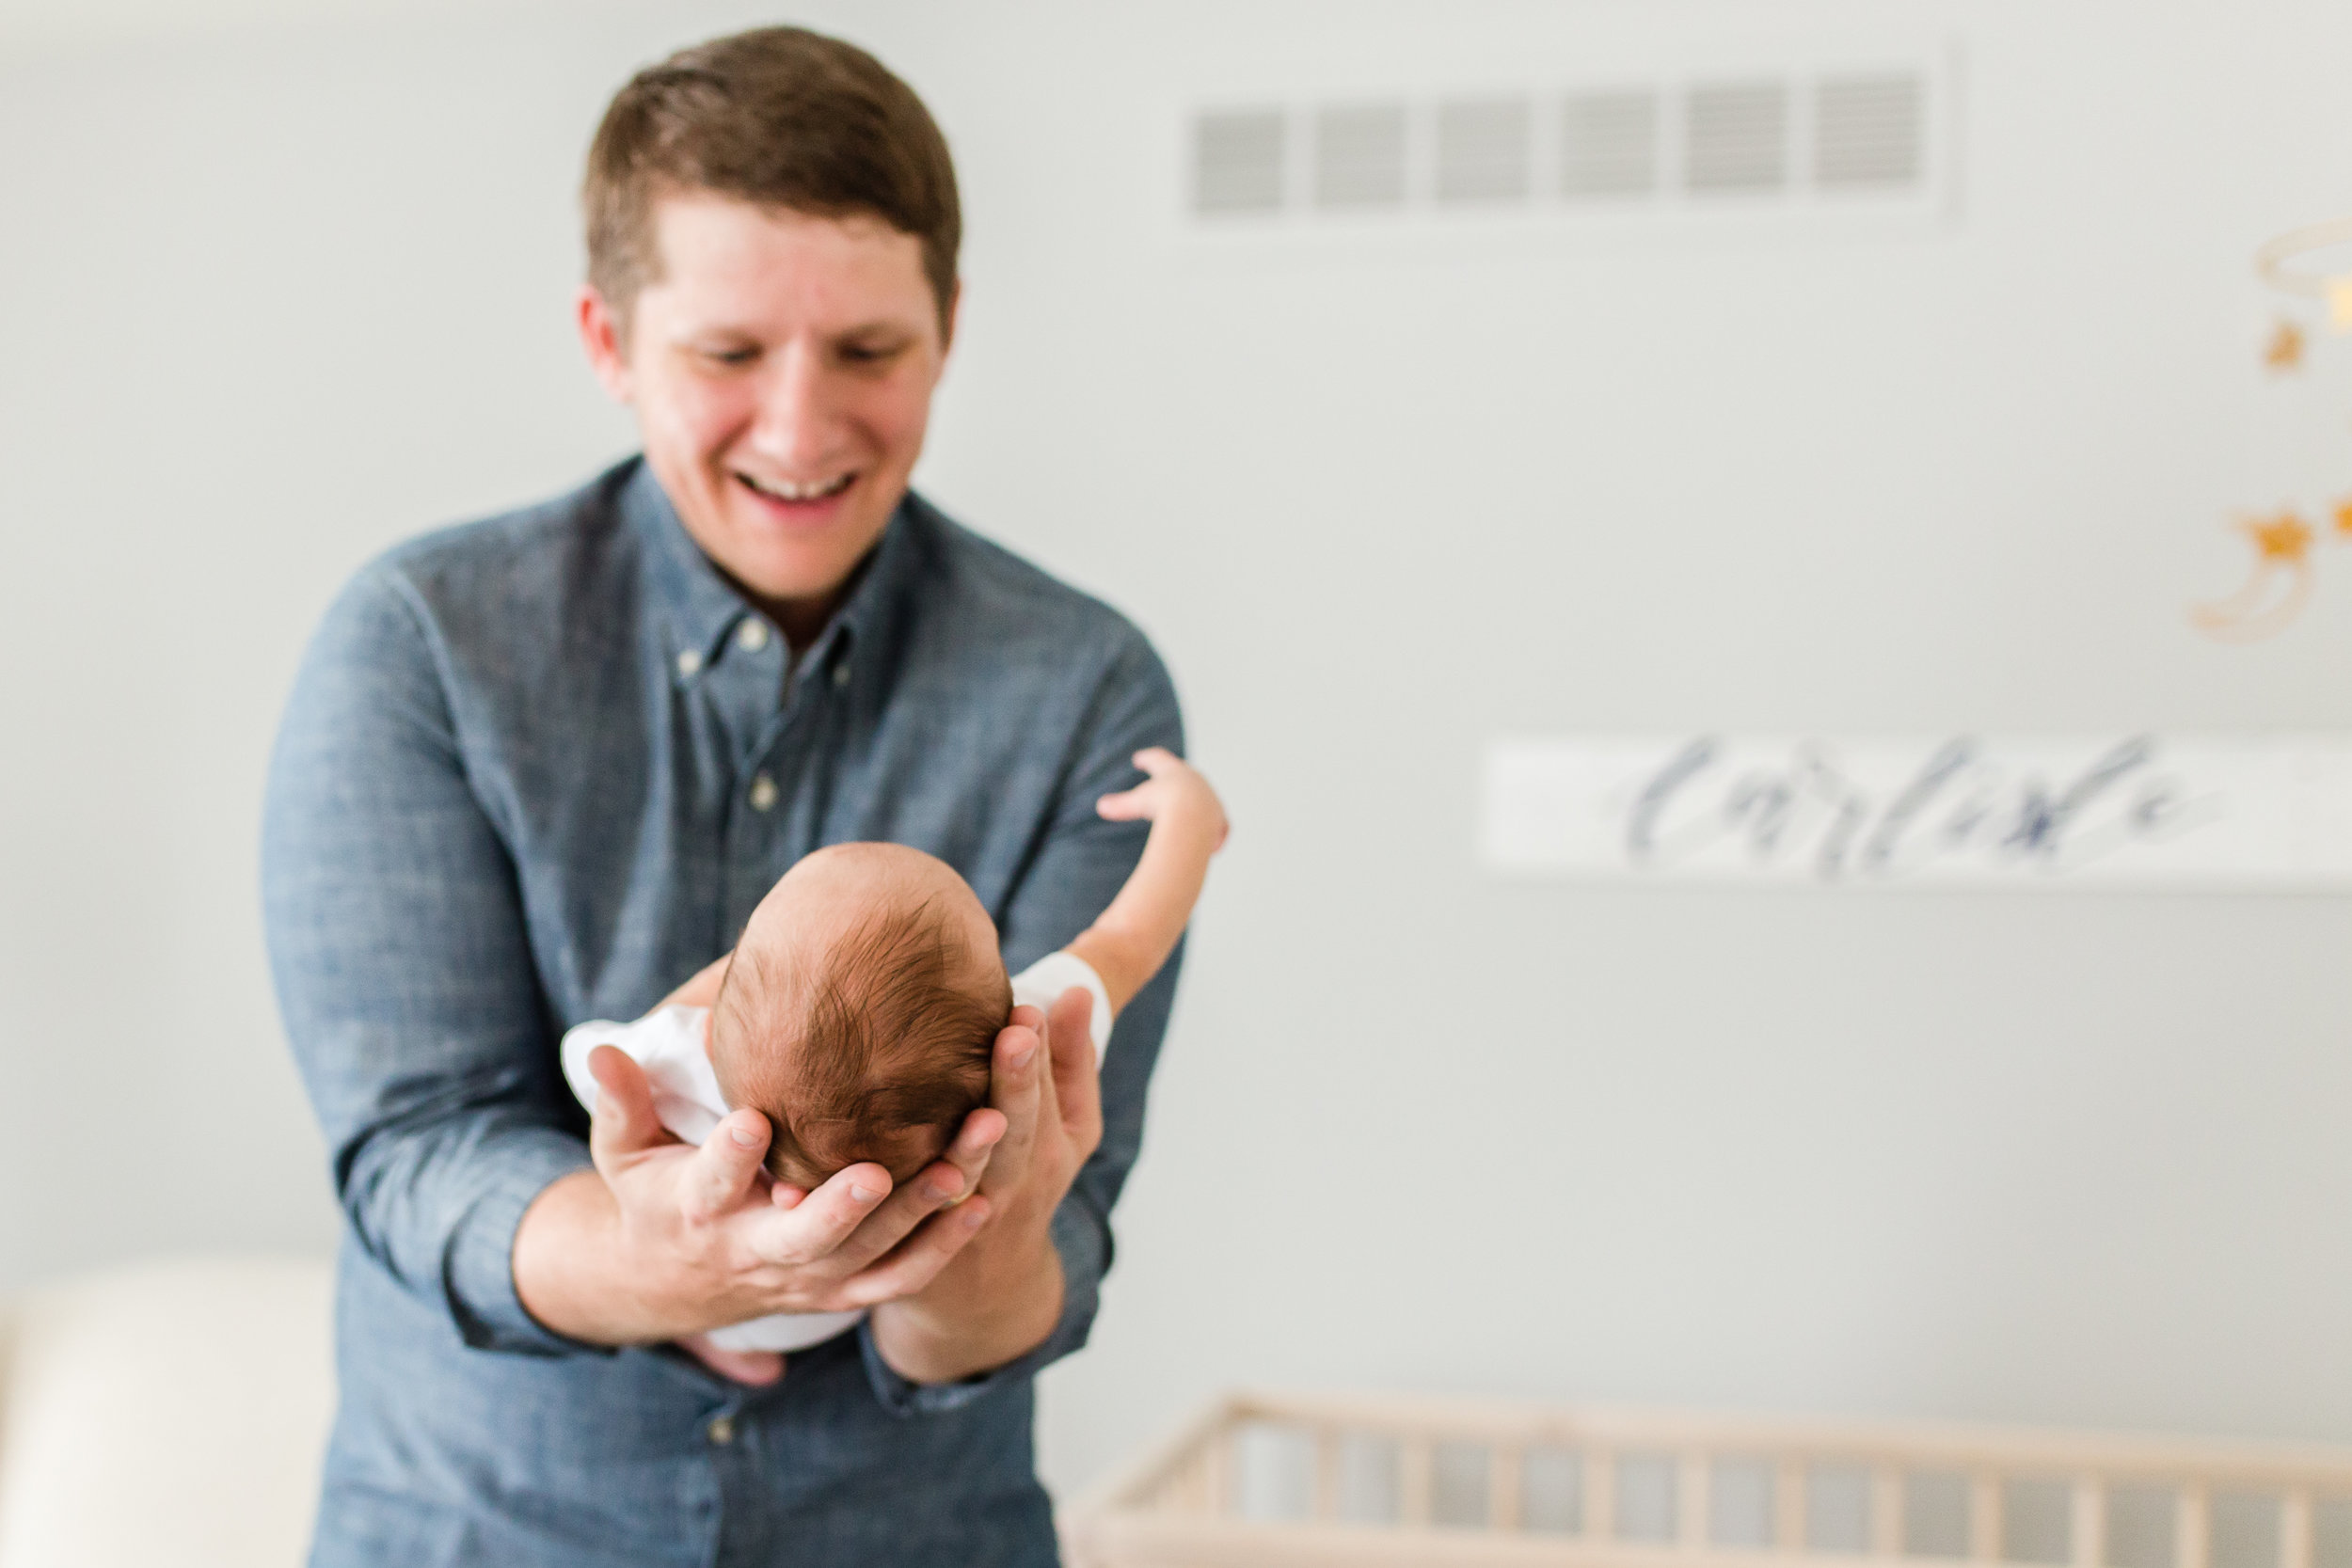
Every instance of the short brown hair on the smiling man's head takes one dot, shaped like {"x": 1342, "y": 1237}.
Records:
{"x": 777, "y": 119}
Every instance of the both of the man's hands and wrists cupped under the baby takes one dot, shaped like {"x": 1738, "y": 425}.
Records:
{"x": 664, "y": 1242}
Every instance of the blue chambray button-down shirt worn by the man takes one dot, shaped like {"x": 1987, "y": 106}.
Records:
{"x": 540, "y": 770}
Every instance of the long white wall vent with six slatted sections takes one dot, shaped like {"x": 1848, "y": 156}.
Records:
{"x": 1702, "y": 152}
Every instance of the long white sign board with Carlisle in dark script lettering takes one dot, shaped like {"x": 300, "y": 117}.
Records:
{"x": 2050, "y": 812}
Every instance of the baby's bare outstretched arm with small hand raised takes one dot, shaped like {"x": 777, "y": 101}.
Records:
{"x": 1140, "y": 930}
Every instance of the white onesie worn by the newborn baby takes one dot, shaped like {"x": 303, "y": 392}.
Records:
{"x": 674, "y": 1050}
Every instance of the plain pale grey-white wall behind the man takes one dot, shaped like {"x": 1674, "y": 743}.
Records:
{"x": 281, "y": 293}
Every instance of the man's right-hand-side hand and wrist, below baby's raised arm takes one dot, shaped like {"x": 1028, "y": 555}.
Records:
{"x": 1001, "y": 1296}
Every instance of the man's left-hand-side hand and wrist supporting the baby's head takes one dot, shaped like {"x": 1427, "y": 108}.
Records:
{"x": 664, "y": 1240}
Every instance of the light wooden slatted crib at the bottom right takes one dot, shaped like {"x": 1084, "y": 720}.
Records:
{"x": 1316, "y": 1482}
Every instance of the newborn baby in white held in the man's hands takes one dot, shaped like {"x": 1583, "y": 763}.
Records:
{"x": 864, "y": 1000}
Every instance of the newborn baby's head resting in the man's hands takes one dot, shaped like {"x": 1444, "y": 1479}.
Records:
{"x": 860, "y": 1012}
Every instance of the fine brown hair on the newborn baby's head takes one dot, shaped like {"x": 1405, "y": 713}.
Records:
{"x": 878, "y": 1052}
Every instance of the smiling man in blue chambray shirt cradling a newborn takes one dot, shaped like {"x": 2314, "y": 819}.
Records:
{"x": 542, "y": 770}
